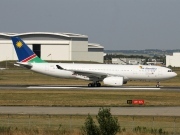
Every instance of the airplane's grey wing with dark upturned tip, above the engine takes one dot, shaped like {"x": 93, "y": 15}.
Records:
{"x": 90, "y": 74}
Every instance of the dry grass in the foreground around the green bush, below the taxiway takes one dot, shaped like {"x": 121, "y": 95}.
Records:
{"x": 64, "y": 124}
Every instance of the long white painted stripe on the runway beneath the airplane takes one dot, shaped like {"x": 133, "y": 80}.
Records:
{"x": 107, "y": 88}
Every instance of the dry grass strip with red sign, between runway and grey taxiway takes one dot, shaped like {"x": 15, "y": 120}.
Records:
{"x": 86, "y": 97}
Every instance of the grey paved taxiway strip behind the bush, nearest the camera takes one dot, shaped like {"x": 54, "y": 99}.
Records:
{"x": 131, "y": 111}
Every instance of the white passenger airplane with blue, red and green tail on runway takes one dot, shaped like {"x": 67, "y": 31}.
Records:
{"x": 109, "y": 74}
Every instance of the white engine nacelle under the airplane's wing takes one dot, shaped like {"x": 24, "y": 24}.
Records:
{"x": 113, "y": 81}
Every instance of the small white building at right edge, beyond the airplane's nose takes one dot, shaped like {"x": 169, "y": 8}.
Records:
{"x": 173, "y": 60}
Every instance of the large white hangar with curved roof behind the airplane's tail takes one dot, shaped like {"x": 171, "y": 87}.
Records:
{"x": 53, "y": 46}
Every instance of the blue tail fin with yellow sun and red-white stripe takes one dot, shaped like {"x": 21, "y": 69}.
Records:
{"x": 24, "y": 53}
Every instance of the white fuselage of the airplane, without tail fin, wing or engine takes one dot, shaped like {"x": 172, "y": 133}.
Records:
{"x": 128, "y": 72}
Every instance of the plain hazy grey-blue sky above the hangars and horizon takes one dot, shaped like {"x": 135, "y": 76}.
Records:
{"x": 114, "y": 24}
